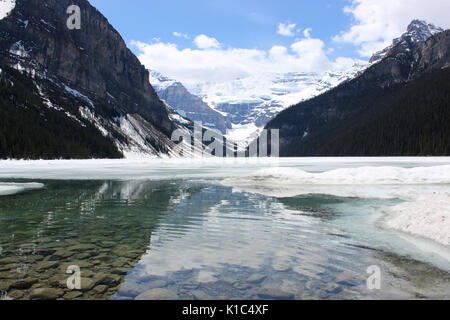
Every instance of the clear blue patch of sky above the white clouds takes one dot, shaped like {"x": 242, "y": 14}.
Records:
{"x": 240, "y": 24}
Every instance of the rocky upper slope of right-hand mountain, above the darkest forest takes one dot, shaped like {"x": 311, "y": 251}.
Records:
{"x": 308, "y": 125}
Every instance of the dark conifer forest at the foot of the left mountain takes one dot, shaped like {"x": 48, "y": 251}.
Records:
{"x": 29, "y": 129}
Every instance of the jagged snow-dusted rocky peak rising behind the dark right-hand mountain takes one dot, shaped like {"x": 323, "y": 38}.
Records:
{"x": 417, "y": 32}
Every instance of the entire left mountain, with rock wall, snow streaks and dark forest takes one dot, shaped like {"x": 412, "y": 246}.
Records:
{"x": 79, "y": 80}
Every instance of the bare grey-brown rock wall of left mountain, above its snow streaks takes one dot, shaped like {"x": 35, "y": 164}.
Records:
{"x": 94, "y": 59}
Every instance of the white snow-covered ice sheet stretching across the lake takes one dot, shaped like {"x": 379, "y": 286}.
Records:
{"x": 419, "y": 187}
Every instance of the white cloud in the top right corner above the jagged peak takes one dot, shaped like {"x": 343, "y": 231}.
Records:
{"x": 377, "y": 22}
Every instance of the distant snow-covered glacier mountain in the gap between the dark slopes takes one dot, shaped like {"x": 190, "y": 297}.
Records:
{"x": 249, "y": 103}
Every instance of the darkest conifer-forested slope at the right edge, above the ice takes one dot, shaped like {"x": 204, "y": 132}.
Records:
{"x": 412, "y": 121}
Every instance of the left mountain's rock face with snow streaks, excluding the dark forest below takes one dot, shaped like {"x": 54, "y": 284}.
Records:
{"x": 88, "y": 73}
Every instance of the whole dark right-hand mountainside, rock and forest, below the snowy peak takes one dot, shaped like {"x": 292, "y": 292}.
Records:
{"x": 317, "y": 127}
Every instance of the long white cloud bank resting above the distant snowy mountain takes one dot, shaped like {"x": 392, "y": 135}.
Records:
{"x": 192, "y": 66}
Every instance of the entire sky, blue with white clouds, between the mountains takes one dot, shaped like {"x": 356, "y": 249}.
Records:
{"x": 209, "y": 40}
